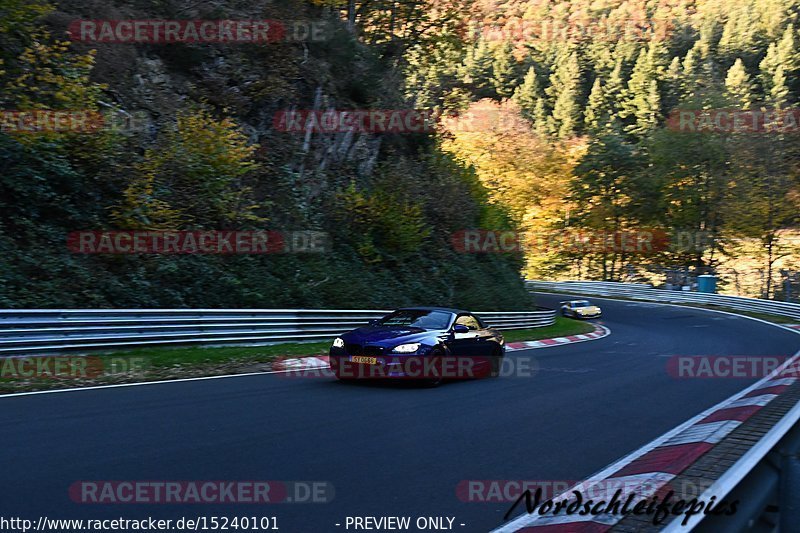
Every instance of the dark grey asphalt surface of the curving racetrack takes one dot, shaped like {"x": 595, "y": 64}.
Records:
{"x": 388, "y": 450}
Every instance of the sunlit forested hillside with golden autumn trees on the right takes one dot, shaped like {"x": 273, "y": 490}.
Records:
{"x": 602, "y": 85}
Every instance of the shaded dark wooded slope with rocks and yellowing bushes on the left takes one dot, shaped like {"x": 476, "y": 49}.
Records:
{"x": 197, "y": 150}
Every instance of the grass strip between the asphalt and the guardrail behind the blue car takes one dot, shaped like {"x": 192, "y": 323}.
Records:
{"x": 164, "y": 363}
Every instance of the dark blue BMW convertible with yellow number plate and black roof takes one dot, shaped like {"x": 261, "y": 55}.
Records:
{"x": 426, "y": 343}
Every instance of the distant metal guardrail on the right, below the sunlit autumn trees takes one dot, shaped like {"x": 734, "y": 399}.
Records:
{"x": 637, "y": 291}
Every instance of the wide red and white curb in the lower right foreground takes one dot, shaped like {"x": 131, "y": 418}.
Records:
{"x": 651, "y": 467}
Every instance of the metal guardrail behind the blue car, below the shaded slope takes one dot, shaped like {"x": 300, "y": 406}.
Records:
{"x": 39, "y": 330}
